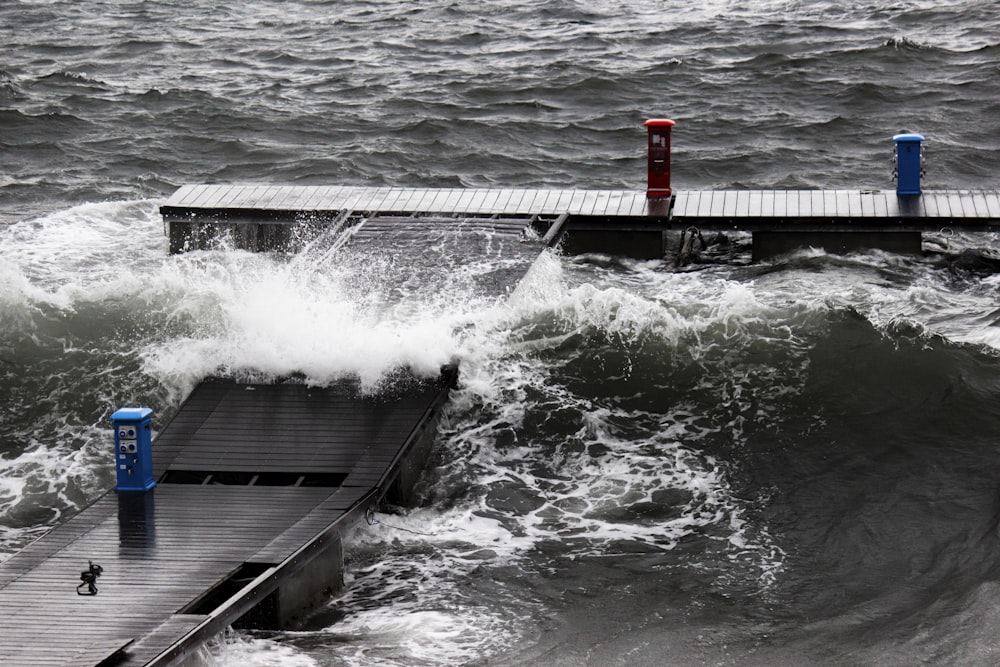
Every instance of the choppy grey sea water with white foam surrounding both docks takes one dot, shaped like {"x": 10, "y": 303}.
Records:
{"x": 786, "y": 463}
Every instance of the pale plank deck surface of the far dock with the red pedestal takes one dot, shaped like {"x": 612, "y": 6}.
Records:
{"x": 689, "y": 205}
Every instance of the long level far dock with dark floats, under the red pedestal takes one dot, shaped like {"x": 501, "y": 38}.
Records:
{"x": 613, "y": 221}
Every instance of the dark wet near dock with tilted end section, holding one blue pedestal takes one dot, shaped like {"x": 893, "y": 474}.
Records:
{"x": 256, "y": 483}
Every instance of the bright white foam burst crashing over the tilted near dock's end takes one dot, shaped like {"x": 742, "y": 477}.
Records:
{"x": 259, "y": 316}
